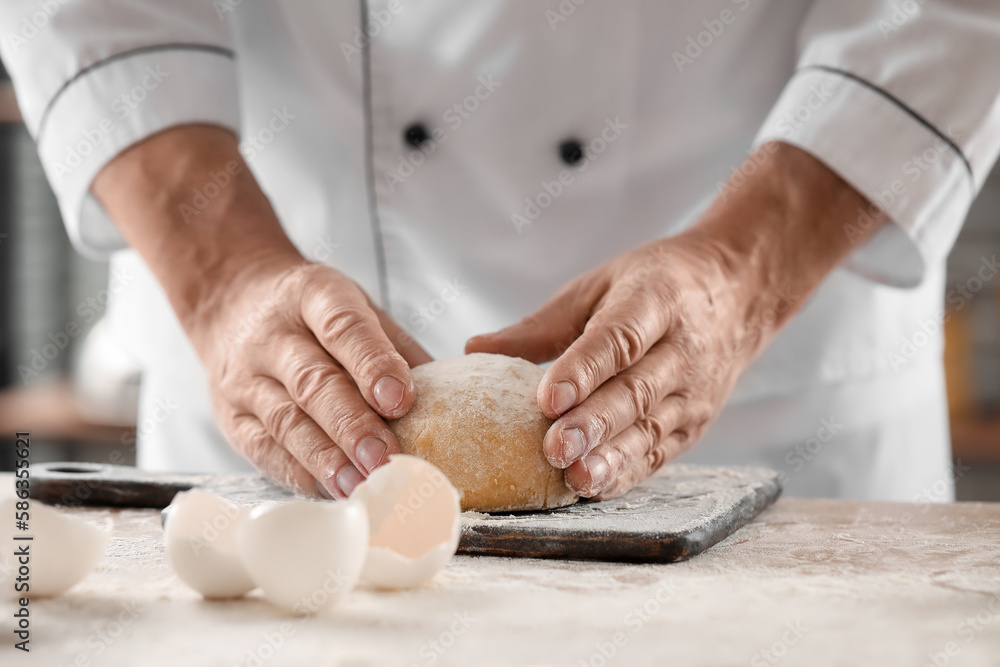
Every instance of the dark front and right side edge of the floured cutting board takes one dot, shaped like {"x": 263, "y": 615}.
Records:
{"x": 623, "y": 547}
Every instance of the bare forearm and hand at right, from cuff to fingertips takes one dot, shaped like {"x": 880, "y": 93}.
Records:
{"x": 648, "y": 346}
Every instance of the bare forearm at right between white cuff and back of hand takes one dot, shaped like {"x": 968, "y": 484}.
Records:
{"x": 778, "y": 232}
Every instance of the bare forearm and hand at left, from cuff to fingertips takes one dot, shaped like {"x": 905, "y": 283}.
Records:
{"x": 302, "y": 366}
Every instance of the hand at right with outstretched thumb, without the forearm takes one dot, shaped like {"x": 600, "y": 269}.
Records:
{"x": 647, "y": 348}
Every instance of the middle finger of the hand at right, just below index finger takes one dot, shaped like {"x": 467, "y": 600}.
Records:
{"x": 614, "y": 406}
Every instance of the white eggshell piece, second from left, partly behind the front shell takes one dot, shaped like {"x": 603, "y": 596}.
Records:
{"x": 200, "y": 537}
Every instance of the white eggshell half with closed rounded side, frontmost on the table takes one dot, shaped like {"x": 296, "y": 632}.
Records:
{"x": 305, "y": 555}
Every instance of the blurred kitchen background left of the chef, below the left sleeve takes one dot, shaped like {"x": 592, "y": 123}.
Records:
{"x": 66, "y": 390}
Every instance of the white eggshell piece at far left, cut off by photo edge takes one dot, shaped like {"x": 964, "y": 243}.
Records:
{"x": 64, "y": 549}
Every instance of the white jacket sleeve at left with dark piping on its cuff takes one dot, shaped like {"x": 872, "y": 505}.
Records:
{"x": 93, "y": 77}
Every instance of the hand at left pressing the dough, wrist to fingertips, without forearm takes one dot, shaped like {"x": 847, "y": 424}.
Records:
{"x": 302, "y": 374}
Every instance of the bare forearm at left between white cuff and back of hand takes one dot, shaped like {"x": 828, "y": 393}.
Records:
{"x": 186, "y": 201}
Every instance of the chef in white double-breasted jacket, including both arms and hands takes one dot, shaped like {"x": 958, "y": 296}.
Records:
{"x": 722, "y": 222}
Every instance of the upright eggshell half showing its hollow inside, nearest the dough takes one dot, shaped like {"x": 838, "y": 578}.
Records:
{"x": 414, "y": 516}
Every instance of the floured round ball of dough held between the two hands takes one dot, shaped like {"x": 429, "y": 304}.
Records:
{"x": 477, "y": 419}
